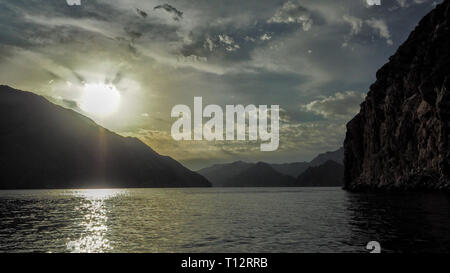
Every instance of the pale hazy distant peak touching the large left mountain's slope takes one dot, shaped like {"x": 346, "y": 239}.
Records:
{"x": 220, "y": 174}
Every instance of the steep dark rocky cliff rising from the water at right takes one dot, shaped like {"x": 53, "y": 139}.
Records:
{"x": 400, "y": 138}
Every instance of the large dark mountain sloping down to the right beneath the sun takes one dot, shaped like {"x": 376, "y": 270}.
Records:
{"x": 48, "y": 146}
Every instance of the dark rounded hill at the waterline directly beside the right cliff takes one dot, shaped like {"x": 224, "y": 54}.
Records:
{"x": 329, "y": 174}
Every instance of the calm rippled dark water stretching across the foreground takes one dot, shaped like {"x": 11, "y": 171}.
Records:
{"x": 221, "y": 220}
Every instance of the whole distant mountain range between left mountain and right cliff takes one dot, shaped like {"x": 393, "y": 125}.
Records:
{"x": 325, "y": 170}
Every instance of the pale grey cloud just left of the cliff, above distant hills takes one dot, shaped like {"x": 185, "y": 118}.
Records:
{"x": 342, "y": 105}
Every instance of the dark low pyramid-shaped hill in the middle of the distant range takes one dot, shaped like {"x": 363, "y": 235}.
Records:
{"x": 260, "y": 175}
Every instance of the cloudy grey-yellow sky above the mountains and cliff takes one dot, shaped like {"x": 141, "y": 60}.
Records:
{"x": 315, "y": 59}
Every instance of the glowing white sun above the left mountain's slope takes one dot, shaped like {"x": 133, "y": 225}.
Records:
{"x": 100, "y": 99}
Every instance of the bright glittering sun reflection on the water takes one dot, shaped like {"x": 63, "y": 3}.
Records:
{"x": 93, "y": 207}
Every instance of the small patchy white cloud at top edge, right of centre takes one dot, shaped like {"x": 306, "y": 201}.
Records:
{"x": 292, "y": 13}
